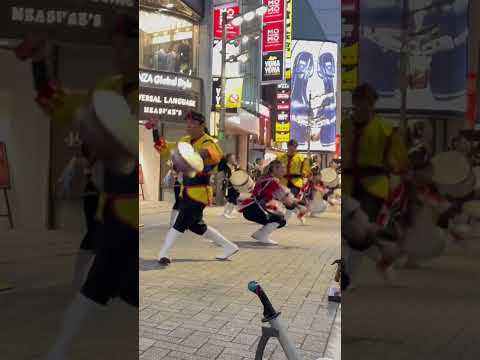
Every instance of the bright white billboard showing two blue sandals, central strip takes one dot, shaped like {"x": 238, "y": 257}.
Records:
{"x": 314, "y": 73}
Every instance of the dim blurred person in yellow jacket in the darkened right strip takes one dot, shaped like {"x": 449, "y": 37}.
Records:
{"x": 373, "y": 151}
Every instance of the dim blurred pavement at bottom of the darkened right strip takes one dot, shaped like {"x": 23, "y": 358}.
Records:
{"x": 431, "y": 312}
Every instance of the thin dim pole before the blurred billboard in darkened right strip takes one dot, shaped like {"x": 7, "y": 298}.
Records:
{"x": 403, "y": 69}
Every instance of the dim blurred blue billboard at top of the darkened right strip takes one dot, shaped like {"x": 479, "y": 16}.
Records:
{"x": 437, "y": 59}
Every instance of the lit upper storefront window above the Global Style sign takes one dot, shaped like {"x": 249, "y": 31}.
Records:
{"x": 167, "y": 43}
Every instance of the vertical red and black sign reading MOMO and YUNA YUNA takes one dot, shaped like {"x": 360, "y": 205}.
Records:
{"x": 273, "y": 41}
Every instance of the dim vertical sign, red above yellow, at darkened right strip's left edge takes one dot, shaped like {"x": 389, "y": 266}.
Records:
{"x": 350, "y": 44}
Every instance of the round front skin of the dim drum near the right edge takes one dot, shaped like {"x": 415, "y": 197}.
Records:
{"x": 450, "y": 168}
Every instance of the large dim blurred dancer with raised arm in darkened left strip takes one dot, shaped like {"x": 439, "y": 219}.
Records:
{"x": 114, "y": 272}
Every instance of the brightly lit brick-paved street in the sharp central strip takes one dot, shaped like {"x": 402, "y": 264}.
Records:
{"x": 200, "y": 309}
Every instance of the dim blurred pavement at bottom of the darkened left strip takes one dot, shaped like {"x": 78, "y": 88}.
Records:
{"x": 39, "y": 266}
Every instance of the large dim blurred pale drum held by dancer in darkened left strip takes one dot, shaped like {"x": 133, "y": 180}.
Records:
{"x": 113, "y": 113}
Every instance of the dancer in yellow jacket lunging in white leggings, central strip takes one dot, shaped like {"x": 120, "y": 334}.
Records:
{"x": 196, "y": 192}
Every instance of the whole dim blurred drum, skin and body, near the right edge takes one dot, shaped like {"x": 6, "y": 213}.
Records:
{"x": 453, "y": 174}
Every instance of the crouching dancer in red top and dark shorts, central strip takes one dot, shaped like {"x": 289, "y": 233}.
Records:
{"x": 262, "y": 206}
